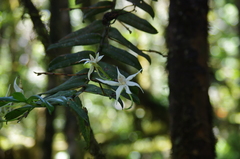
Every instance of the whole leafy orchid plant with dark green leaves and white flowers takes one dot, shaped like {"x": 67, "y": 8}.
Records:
{"x": 87, "y": 80}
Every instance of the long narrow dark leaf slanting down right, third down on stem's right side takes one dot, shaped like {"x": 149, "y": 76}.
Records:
{"x": 116, "y": 35}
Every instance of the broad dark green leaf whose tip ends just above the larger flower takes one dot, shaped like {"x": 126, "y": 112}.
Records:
{"x": 122, "y": 56}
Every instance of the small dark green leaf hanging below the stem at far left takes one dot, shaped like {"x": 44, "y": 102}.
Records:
{"x": 17, "y": 112}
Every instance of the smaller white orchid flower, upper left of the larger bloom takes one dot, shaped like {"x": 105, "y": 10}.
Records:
{"x": 93, "y": 61}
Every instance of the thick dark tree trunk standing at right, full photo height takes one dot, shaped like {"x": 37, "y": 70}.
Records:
{"x": 190, "y": 109}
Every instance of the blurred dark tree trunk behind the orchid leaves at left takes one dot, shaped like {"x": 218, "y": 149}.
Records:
{"x": 59, "y": 27}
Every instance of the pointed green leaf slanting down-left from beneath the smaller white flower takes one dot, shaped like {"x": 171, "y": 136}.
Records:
{"x": 72, "y": 83}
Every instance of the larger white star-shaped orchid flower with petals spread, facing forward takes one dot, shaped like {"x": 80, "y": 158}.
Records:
{"x": 122, "y": 83}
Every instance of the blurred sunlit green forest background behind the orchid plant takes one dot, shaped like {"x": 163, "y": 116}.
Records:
{"x": 141, "y": 132}
